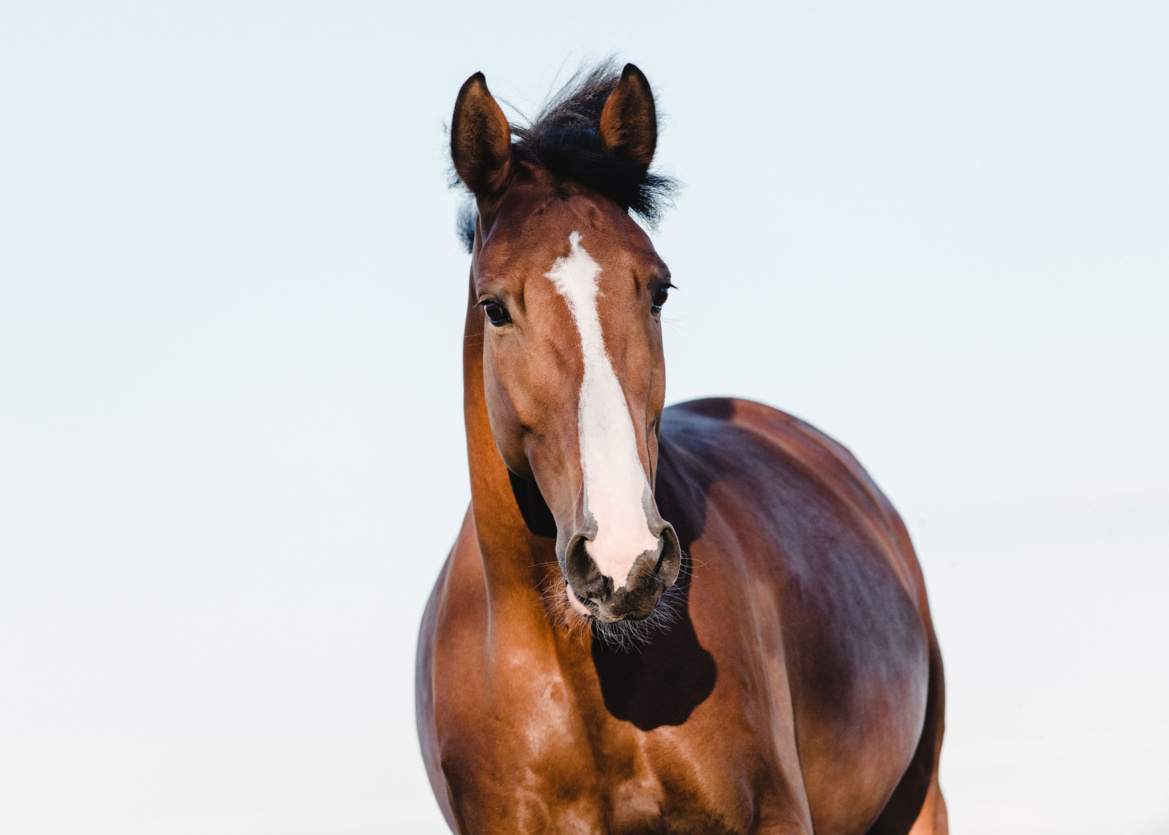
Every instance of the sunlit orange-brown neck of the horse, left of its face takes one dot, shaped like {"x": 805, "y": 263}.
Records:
{"x": 516, "y": 563}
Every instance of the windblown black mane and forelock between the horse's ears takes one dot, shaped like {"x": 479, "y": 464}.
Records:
{"x": 565, "y": 140}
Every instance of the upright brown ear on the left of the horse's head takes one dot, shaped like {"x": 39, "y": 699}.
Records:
{"x": 480, "y": 139}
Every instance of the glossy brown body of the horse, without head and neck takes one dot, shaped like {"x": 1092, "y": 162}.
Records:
{"x": 745, "y": 716}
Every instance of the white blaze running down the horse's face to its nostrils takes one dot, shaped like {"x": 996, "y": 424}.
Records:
{"x": 615, "y": 487}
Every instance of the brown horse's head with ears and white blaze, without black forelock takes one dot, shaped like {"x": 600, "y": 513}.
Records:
{"x": 571, "y": 293}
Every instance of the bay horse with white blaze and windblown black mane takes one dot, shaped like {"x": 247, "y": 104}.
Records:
{"x": 703, "y": 619}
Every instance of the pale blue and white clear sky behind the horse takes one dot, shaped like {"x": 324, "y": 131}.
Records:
{"x": 232, "y": 456}
